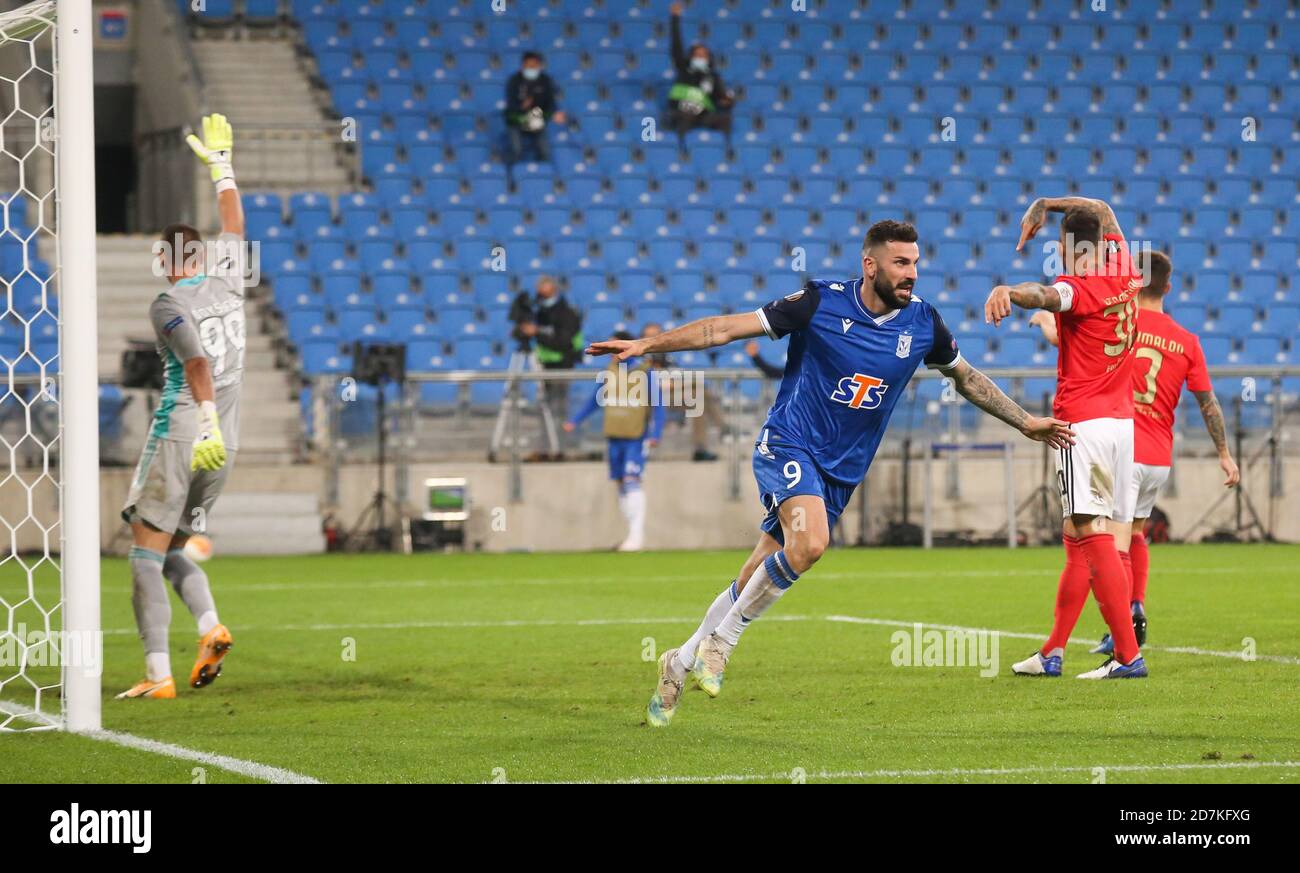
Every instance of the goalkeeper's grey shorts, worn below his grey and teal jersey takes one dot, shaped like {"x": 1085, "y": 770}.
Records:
{"x": 167, "y": 494}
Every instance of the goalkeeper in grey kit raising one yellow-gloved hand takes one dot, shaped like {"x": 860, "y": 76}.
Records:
{"x": 200, "y": 324}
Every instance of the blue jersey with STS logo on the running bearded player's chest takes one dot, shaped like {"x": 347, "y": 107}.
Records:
{"x": 846, "y": 371}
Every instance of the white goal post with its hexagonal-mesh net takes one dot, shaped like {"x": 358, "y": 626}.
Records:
{"x": 51, "y": 648}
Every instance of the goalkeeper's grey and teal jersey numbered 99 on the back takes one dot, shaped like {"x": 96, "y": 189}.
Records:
{"x": 201, "y": 316}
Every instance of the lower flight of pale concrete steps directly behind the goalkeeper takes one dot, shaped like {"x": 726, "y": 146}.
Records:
{"x": 271, "y": 425}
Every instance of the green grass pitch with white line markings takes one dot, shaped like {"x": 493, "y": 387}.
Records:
{"x": 535, "y": 668}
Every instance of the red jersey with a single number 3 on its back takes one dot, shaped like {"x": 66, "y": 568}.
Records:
{"x": 1165, "y": 357}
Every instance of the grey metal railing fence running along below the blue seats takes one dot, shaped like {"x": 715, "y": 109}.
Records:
{"x": 933, "y": 428}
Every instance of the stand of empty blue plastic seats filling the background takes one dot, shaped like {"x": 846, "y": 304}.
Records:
{"x": 951, "y": 114}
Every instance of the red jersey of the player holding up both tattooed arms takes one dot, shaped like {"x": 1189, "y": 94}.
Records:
{"x": 1097, "y": 333}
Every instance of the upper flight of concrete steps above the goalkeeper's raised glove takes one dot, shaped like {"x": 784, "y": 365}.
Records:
{"x": 284, "y": 137}
